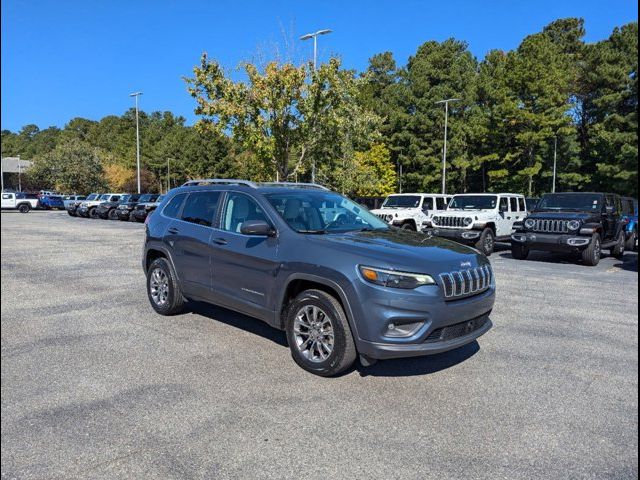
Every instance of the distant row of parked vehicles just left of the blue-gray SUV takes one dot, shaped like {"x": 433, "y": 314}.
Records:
{"x": 115, "y": 206}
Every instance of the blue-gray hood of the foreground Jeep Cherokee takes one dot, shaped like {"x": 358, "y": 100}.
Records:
{"x": 403, "y": 250}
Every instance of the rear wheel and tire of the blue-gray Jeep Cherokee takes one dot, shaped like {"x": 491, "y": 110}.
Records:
{"x": 163, "y": 289}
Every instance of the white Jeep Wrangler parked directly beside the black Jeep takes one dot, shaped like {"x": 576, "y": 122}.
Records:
{"x": 480, "y": 219}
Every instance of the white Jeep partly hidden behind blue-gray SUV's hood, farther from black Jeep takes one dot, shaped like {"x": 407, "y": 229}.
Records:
{"x": 412, "y": 211}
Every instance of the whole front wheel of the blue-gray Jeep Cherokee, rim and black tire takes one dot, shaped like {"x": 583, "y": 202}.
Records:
{"x": 318, "y": 334}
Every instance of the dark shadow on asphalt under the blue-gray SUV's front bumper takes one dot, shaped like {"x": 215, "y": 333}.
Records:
{"x": 407, "y": 367}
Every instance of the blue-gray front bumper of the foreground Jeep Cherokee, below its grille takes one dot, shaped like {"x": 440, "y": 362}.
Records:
{"x": 424, "y": 312}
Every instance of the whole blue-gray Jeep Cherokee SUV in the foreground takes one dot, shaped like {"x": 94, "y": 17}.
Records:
{"x": 306, "y": 260}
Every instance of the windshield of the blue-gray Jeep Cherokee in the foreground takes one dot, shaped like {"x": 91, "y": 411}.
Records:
{"x": 323, "y": 212}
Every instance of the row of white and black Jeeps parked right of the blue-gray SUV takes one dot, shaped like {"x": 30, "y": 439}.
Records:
{"x": 581, "y": 223}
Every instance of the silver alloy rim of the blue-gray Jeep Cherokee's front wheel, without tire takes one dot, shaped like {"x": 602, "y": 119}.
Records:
{"x": 313, "y": 333}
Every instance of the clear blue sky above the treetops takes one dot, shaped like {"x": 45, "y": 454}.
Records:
{"x": 81, "y": 58}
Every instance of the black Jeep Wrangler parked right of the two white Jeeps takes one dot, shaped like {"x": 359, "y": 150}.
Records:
{"x": 583, "y": 223}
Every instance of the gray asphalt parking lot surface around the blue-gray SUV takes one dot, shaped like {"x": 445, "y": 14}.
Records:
{"x": 96, "y": 385}
